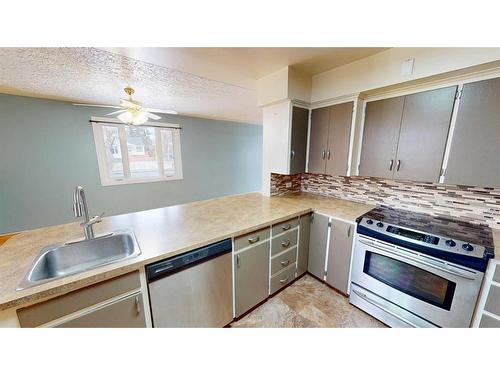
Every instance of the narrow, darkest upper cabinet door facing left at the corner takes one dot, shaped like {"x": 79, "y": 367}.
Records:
{"x": 300, "y": 119}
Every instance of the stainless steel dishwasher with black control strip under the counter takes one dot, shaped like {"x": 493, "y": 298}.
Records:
{"x": 193, "y": 289}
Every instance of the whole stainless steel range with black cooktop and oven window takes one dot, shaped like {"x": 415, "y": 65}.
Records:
{"x": 415, "y": 270}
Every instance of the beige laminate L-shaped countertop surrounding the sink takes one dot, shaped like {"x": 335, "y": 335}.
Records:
{"x": 161, "y": 233}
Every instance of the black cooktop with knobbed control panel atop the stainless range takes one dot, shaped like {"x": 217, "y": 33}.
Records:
{"x": 464, "y": 243}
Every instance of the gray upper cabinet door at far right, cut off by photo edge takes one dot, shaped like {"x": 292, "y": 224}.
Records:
{"x": 474, "y": 157}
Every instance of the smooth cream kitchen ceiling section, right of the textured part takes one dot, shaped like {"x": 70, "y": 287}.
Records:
{"x": 243, "y": 66}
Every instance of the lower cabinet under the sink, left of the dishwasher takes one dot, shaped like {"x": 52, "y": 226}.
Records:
{"x": 113, "y": 303}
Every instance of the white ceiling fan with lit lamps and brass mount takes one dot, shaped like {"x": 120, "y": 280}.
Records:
{"x": 130, "y": 111}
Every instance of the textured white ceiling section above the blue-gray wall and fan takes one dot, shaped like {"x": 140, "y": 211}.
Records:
{"x": 92, "y": 75}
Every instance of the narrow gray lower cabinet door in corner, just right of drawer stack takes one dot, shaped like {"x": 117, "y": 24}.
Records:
{"x": 317, "y": 245}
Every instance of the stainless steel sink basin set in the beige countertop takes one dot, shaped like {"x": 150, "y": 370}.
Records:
{"x": 60, "y": 260}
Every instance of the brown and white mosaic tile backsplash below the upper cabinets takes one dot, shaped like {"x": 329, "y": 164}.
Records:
{"x": 472, "y": 204}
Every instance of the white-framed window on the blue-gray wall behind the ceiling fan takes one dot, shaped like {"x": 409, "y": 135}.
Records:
{"x": 134, "y": 154}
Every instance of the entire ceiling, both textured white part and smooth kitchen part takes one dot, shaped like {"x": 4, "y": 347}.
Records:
{"x": 217, "y": 83}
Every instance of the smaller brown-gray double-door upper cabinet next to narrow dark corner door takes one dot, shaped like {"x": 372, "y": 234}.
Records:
{"x": 330, "y": 138}
